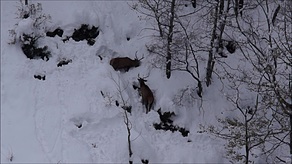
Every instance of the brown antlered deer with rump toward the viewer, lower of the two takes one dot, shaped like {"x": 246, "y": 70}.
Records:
{"x": 146, "y": 93}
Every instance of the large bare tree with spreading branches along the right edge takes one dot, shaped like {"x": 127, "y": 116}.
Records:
{"x": 268, "y": 49}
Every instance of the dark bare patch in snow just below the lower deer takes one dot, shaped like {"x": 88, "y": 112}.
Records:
{"x": 167, "y": 123}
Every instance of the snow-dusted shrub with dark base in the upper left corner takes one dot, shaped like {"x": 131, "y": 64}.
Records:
{"x": 29, "y": 29}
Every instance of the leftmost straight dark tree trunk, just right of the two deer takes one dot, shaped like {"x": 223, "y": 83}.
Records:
{"x": 169, "y": 40}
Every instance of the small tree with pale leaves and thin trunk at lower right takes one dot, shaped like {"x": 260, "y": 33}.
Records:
{"x": 250, "y": 133}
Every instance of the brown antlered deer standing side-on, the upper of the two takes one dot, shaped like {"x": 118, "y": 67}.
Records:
{"x": 125, "y": 63}
